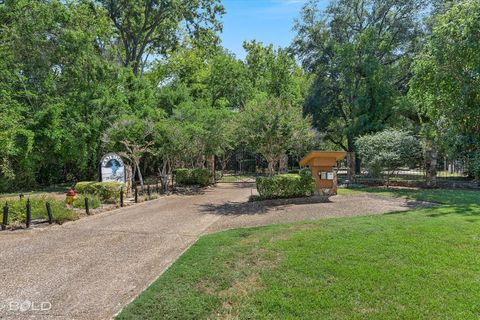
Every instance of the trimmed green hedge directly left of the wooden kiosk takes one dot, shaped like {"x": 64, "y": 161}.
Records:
{"x": 286, "y": 185}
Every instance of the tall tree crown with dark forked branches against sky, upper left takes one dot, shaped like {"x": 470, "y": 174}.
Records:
{"x": 153, "y": 27}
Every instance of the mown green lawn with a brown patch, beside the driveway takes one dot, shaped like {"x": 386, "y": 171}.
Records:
{"x": 422, "y": 264}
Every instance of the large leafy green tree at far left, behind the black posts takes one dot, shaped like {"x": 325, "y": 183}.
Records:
{"x": 60, "y": 77}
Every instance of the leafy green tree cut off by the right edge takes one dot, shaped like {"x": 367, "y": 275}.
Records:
{"x": 446, "y": 82}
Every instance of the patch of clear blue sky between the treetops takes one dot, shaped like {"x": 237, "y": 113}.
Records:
{"x": 268, "y": 21}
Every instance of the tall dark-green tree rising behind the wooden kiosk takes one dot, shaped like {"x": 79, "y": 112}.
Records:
{"x": 360, "y": 52}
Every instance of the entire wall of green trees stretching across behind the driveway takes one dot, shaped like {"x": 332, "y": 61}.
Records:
{"x": 149, "y": 80}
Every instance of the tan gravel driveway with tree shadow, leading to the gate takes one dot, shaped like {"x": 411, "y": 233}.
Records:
{"x": 91, "y": 268}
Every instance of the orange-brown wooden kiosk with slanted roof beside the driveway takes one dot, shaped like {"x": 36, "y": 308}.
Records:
{"x": 321, "y": 164}
